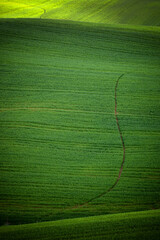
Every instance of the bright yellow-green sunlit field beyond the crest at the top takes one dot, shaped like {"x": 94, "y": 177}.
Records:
{"x": 143, "y": 12}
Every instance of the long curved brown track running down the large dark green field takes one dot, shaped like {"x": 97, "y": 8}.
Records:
{"x": 122, "y": 164}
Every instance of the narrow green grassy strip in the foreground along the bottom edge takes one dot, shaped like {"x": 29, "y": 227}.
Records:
{"x": 138, "y": 225}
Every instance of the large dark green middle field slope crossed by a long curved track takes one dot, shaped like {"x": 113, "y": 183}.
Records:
{"x": 60, "y": 145}
